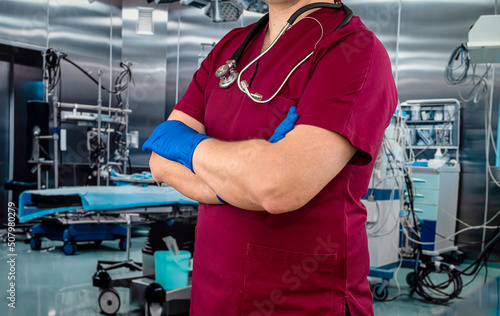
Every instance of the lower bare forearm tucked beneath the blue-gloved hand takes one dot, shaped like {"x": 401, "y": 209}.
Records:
{"x": 182, "y": 179}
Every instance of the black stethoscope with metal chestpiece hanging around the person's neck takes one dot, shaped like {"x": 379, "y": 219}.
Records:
{"x": 229, "y": 75}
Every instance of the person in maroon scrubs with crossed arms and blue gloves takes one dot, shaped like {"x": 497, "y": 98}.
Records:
{"x": 281, "y": 227}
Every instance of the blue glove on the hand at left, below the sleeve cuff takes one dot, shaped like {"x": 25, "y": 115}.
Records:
{"x": 175, "y": 141}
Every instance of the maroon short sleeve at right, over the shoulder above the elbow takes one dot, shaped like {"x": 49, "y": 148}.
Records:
{"x": 351, "y": 91}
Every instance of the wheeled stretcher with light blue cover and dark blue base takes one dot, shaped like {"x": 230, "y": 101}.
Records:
{"x": 94, "y": 214}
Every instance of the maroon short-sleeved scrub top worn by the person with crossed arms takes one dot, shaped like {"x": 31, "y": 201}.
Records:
{"x": 313, "y": 260}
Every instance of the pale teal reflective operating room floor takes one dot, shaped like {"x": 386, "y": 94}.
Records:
{"x": 49, "y": 283}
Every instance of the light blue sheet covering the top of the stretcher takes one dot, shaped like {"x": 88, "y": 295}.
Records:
{"x": 102, "y": 198}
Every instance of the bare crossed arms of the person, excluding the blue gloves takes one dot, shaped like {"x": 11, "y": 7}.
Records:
{"x": 256, "y": 174}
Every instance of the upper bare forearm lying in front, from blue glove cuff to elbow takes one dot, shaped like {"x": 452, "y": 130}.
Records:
{"x": 251, "y": 175}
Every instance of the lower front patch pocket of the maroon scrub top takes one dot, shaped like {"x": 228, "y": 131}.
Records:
{"x": 280, "y": 282}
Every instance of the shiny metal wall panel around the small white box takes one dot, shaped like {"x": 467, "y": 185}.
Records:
{"x": 148, "y": 54}
